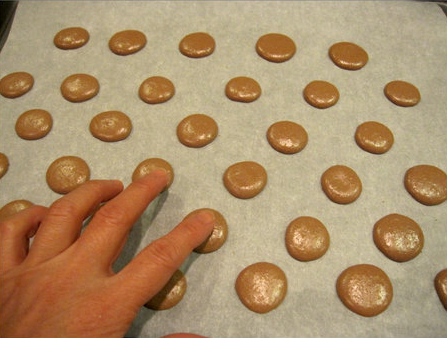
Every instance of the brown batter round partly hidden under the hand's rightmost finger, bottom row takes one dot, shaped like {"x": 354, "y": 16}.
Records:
{"x": 171, "y": 294}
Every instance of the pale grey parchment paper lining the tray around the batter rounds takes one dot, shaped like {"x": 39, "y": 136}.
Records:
{"x": 404, "y": 40}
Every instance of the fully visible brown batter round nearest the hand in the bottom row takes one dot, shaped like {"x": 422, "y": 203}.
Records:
{"x": 261, "y": 287}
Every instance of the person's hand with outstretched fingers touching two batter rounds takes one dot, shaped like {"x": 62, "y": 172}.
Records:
{"x": 64, "y": 286}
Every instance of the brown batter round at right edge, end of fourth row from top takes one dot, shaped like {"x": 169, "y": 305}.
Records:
{"x": 427, "y": 184}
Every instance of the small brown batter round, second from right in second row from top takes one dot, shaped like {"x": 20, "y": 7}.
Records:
{"x": 321, "y": 94}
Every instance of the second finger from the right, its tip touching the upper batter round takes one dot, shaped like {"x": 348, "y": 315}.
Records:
{"x": 104, "y": 235}
